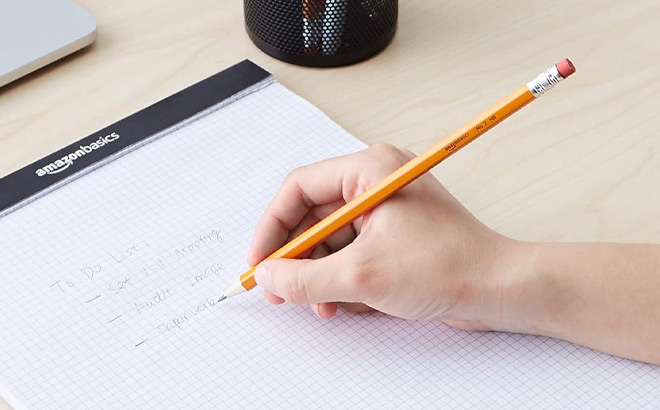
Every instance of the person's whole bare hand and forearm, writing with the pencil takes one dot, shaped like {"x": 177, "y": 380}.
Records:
{"x": 421, "y": 255}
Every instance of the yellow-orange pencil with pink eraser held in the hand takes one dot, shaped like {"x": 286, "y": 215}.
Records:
{"x": 412, "y": 170}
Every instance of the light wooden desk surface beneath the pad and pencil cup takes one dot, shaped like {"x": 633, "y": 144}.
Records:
{"x": 582, "y": 164}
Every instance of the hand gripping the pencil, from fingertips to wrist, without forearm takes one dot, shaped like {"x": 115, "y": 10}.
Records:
{"x": 418, "y": 255}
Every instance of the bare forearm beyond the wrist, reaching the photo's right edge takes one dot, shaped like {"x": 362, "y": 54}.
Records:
{"x": 605, "y": 296}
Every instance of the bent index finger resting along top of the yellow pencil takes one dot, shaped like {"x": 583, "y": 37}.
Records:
{"x": 312, "y": 185}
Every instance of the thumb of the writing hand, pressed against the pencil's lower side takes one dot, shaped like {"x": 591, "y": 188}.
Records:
{"x": 301, "y": 282}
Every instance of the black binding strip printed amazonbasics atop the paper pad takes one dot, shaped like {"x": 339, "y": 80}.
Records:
{"x": 42, "y": 174}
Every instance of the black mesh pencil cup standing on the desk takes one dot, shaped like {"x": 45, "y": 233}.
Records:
{"x": 321, "y": 33}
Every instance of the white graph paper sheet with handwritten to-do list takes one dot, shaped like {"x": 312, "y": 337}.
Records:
{"x": 109, "y": 289}
